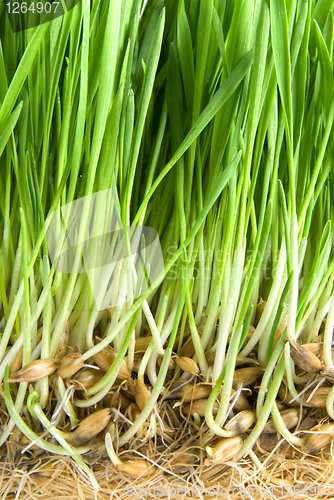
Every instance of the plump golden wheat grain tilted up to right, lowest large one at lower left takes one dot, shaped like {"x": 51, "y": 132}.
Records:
{"x": 90, "y": 426}
